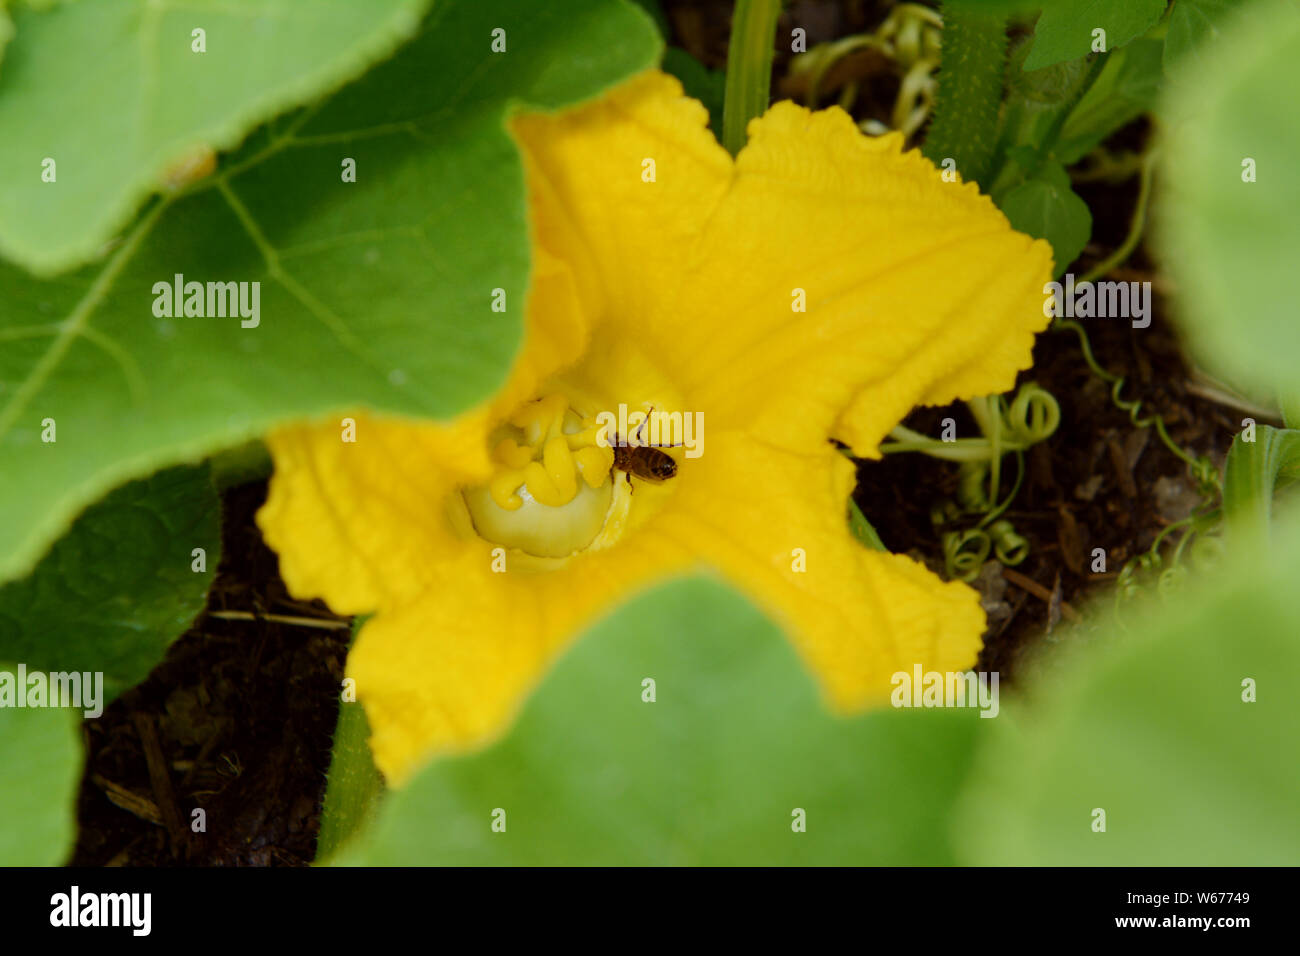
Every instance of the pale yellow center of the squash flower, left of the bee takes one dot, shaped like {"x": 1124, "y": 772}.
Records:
{"x": 551, "y": 494}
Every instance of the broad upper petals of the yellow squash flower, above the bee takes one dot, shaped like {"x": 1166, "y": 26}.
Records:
{"x": 916, "y": 291}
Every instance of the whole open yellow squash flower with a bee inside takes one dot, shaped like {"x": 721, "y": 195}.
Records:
{"x": 670, "y": 278}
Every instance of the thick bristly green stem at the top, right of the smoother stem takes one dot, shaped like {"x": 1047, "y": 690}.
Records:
{"x": 970, "y": 90}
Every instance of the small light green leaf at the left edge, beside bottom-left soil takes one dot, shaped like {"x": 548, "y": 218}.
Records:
{"x": 41, "y": 755}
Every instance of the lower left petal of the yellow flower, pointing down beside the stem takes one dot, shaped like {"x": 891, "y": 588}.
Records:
{"x": 452, "y": 668}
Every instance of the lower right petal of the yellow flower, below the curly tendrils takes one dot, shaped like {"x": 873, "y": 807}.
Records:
{"x": 775, "y": 525}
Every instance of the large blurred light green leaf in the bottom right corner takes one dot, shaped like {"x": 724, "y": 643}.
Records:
{"x": 1151, "y": 728}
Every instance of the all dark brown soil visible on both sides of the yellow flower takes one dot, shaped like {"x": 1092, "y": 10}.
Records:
{"x": 240, "y": 716}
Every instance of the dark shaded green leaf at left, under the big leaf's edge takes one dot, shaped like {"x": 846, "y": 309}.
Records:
{"x": 120, "y": 587}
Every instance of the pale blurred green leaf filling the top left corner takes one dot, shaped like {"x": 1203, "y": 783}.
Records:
{"x": 142, "y": 100}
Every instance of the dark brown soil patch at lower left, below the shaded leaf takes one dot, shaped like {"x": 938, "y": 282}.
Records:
{"x": 242, "y": 713}
